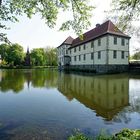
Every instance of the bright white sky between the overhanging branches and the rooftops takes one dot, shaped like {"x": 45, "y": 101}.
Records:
{"x": 34, "y": 33}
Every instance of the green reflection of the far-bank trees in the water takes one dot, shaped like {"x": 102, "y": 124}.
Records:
{"x": 15, "y": 79}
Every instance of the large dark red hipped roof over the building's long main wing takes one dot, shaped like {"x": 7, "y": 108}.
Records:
{"x": 107, "y": 27}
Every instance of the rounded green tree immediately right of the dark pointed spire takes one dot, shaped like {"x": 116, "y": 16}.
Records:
{"x": 38, "y": 57}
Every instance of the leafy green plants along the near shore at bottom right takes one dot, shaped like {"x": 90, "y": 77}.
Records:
{"x": 125, "y": 134}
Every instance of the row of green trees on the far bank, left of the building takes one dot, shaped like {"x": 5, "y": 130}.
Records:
{"x": 14, "y": 55}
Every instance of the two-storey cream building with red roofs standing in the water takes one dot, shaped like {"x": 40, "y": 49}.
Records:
{"x": 103, "y": 49}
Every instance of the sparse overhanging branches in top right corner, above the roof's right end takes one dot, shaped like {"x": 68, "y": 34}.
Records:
{"x": 126, "y": 12}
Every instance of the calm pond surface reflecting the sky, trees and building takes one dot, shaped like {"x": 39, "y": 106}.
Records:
{"x": 48, "y": 105}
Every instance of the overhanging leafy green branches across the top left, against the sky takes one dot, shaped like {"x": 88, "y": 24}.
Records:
{"x": 48, "y": 9}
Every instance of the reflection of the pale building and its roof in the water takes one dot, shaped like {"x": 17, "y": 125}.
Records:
{"x": 106, "y": 95}
